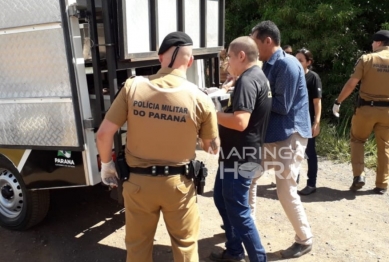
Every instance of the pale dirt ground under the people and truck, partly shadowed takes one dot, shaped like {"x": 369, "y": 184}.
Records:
{"x": 85, "y": 225}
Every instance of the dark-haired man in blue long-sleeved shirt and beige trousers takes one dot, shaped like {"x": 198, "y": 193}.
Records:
{"x": 289, "y": 129}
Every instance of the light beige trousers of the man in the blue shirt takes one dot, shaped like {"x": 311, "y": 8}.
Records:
{"x": 285, "y": 158}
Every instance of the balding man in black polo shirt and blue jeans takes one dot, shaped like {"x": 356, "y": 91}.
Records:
{"x": 241, "y": 129}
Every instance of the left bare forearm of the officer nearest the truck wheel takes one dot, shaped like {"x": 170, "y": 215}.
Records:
{"x": 104, "y": 139}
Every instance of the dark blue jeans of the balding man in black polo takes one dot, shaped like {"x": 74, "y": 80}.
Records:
{"x": 231, "y": 199}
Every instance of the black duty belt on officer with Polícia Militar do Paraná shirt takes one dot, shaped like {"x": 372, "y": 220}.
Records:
{"x": 161, "y": 170}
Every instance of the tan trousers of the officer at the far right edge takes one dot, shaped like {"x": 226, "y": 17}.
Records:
{"x": 366, "y": 120}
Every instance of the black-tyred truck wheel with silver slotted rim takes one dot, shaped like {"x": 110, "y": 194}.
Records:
{"x": 20, "y": 208}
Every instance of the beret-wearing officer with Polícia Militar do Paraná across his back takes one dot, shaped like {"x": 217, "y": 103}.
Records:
{"x": 165, "y": 114}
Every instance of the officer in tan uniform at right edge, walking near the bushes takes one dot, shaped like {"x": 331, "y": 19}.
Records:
{"x": 372, "y": 113}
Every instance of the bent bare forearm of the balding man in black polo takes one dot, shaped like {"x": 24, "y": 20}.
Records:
{"x": 239, "y": 120}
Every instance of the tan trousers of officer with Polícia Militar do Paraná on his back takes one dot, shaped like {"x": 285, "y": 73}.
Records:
{"x": 144, "y": 198}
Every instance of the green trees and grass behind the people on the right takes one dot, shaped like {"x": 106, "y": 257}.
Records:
{"x": 336, "y": 32}
